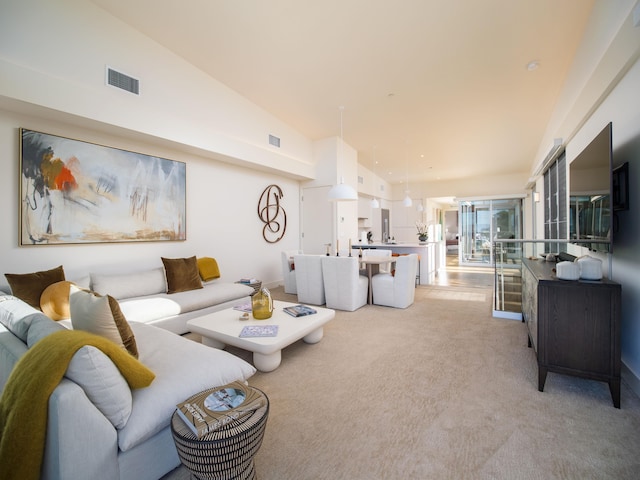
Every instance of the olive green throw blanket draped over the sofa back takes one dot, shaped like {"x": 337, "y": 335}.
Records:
{"x": 25, "y": 399}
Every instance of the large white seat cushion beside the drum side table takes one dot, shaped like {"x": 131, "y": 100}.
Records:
{"x": 182, "y": 368}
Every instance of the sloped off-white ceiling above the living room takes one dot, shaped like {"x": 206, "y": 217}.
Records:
{"x": 432, "y": 89}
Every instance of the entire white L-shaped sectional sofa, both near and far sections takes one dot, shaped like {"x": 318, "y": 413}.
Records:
{"x": 100, "y": 428}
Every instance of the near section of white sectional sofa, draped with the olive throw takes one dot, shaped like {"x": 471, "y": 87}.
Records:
{"x": 100, "y": 428}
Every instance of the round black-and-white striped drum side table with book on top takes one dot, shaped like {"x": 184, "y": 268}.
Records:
{"x": 226, "y": 453}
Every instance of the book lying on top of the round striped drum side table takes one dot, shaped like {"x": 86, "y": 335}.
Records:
{"x": 214, "y": 408}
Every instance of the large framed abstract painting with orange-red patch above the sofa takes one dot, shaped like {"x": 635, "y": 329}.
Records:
{"x": 78, "y": 192}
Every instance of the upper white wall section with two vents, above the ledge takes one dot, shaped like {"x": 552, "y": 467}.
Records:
{"x": 53, "y": 53}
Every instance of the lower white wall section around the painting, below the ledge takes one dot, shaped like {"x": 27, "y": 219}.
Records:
{"x": 222, "y": 219}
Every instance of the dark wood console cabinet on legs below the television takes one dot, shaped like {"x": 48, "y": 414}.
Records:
{"x": 573, "y": 326}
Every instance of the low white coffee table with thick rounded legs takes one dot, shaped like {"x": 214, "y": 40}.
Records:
{"x": 223, "y": 328}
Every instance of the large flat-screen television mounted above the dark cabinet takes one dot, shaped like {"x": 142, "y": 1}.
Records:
{"x": 590, "y": 187}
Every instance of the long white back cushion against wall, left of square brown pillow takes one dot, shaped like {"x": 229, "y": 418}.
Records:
{"x": 136, "y": 284}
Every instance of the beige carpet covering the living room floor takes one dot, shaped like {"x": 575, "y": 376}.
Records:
{"x": 441, "y": 390}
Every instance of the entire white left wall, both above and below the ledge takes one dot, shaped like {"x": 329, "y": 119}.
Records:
{"x": 53, "y": 55}
